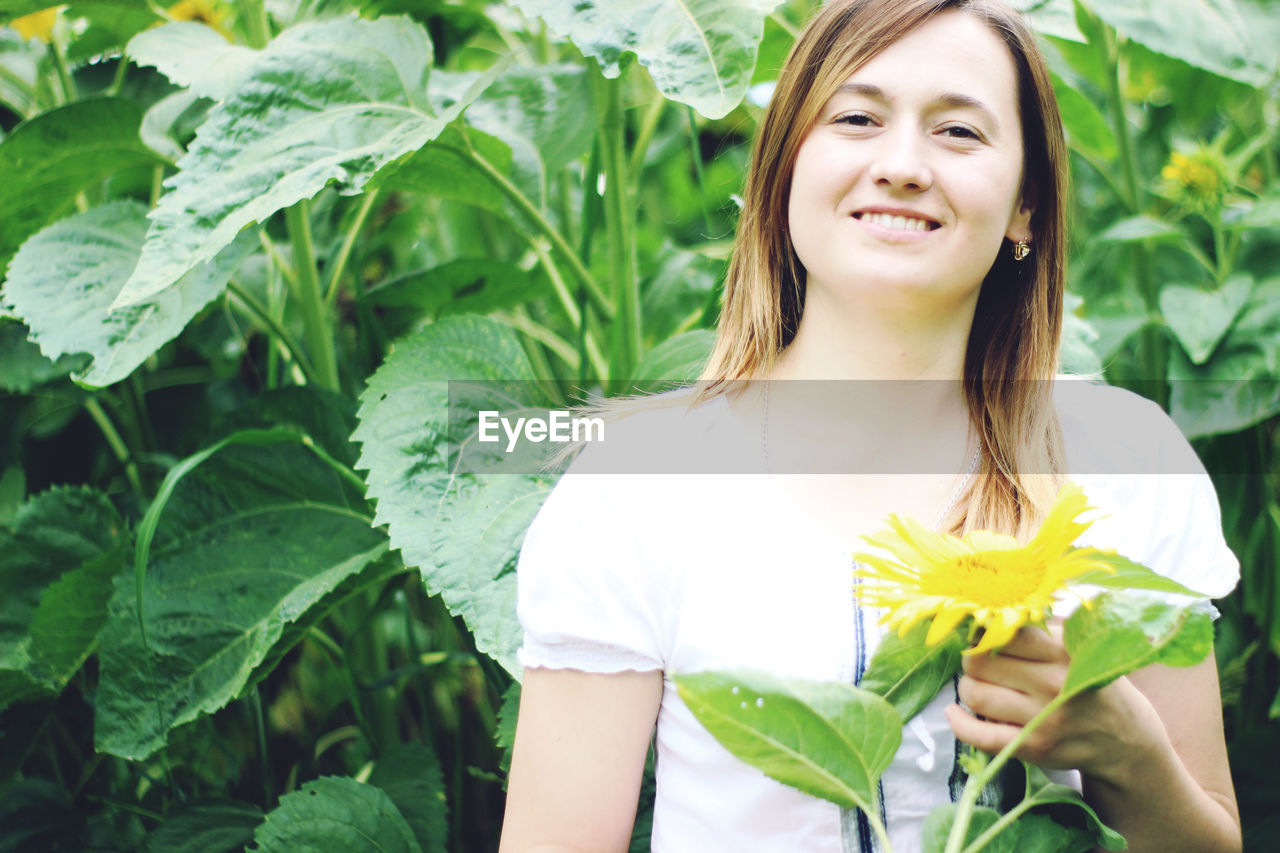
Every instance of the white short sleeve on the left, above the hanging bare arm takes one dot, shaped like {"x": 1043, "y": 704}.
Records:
{"x": 588, "y": 591}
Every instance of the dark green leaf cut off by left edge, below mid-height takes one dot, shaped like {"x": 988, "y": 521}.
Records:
{"x": 58, "y": 558}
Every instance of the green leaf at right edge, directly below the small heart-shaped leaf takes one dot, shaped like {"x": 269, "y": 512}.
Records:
{"x": 1240, "y": 386}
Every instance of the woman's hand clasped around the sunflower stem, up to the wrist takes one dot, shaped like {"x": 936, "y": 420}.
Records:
{"x": 1098, "y": 732}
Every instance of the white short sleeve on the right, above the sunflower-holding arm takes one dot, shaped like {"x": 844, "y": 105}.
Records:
{"x": 1158, "y": 504}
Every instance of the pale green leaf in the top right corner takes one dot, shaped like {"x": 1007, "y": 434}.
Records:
{"x": 1206, "y": 34}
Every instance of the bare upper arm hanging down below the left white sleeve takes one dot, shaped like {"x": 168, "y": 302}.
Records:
{"x": 578, "y": 761}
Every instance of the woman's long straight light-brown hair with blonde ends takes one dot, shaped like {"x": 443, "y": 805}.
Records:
{"x": 1013, "y": 345}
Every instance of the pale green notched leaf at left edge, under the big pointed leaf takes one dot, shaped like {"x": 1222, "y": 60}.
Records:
{"x": 63, "y": 281}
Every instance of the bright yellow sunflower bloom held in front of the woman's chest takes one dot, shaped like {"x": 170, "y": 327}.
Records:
{"x": 986, "y": 576}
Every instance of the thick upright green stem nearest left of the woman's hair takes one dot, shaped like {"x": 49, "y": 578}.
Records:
{"x": 625, "y": 337}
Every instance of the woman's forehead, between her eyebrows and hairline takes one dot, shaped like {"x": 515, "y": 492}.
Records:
{"x": 954, "y": 53}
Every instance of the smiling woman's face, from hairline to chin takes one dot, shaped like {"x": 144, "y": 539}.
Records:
{"x": 912, "y": 176}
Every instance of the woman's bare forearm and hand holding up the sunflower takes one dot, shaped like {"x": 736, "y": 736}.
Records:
{"x": 1150, "y": 746}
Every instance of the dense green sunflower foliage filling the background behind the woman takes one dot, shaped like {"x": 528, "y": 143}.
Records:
{"x": 245, "y": 249}
